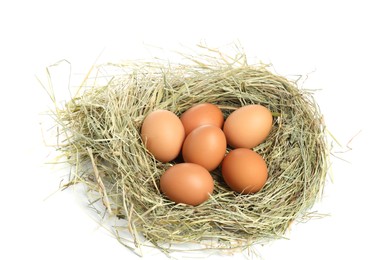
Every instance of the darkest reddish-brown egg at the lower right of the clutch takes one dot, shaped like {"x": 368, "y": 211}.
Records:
{"x": 244, "y": 171}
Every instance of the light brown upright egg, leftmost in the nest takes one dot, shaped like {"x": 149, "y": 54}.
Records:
{"x": 163, "y": 134}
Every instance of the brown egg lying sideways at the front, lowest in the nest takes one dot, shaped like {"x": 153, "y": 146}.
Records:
{"x": 187, "y": 183}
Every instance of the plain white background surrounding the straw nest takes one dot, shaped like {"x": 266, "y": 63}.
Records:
{"x": 344, "y": 47}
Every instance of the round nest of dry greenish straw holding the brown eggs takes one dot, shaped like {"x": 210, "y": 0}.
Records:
{"x": 101, "y": 130}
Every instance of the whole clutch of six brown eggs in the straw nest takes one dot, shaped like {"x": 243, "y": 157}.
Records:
{"x": 201, "y": 136}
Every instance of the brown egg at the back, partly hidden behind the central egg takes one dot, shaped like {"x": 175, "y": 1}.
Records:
{"x": 202, "y": 114}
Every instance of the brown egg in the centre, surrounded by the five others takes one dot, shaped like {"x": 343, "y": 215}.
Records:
{"x": 206, "y": 146}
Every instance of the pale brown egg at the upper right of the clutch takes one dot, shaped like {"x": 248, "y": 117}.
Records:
{"x": 248, "y": 126}
